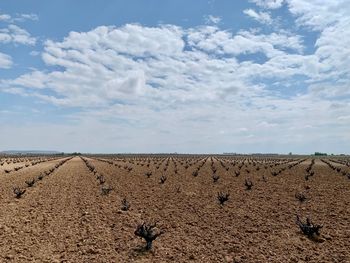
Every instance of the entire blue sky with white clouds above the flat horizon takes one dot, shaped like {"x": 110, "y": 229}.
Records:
{"x": 204, "y": 76}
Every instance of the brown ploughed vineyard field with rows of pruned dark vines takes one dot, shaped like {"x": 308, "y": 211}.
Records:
{"x": 72, "y": 209}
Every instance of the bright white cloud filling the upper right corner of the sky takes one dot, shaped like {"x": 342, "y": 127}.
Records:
{"x": 331, "y": 19}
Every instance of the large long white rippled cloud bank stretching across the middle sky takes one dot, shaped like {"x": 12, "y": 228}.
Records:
{"x": 135, "y": 62}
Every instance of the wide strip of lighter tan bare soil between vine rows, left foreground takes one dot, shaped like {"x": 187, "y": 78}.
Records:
{"x": 61, "y": 221}
